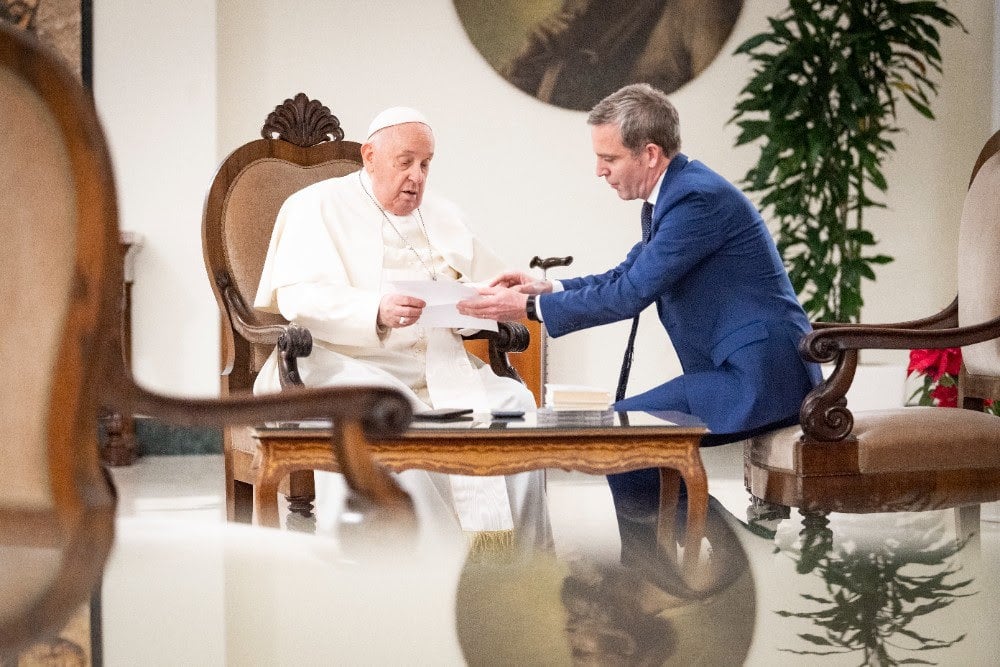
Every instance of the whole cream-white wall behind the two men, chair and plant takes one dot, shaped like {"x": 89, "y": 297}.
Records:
{"x": 522, "y": 170}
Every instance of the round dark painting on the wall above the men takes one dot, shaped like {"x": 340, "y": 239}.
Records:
{"x": 572, "y": 53}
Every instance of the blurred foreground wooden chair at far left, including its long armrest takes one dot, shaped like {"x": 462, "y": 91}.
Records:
{"x": 62, "y": 277}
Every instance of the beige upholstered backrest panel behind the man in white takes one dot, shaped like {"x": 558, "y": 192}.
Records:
{"x": 250, "y": 210}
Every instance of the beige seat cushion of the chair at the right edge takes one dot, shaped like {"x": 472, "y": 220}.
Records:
{"x": 885, "y": 440}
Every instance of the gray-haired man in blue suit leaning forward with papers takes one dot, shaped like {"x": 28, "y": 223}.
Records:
{"x": 711, "y": 267}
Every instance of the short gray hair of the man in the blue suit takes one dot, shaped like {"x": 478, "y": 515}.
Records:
{"x": 643, "y": 115}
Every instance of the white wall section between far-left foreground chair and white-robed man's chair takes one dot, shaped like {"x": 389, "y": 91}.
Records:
{"x": 154, "y": 84}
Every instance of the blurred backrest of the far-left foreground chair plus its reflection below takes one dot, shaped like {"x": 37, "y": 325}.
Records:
{"x": 56, "y": 507}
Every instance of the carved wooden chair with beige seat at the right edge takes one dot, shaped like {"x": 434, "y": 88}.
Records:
{"x": 911, "y": 458}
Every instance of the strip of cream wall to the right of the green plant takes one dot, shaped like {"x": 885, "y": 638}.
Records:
{"x": 929, "y": 175}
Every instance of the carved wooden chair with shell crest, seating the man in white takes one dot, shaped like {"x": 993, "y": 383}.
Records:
{"x": 302, "y": 144}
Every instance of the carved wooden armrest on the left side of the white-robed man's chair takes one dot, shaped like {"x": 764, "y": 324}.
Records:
{"x": 293, "y": 341}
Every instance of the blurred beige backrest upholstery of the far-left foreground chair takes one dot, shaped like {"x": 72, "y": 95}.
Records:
{"x": 37, "y": 258}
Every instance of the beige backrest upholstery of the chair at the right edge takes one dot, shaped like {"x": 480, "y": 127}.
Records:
{"x": 979, "y": 265}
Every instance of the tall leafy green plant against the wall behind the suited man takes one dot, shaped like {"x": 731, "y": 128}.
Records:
{"x": 822, "y": 101}
